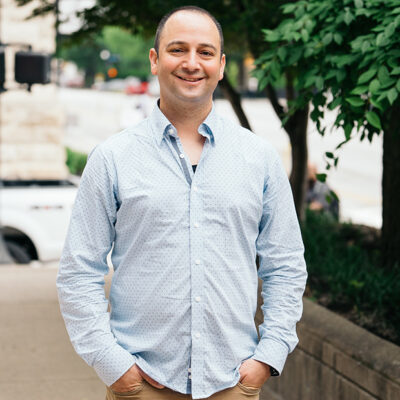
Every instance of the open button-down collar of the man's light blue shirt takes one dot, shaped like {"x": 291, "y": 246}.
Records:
{"x": 161, "y": 125}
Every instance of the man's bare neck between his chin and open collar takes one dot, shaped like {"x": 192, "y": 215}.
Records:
{"x": 186, "y": 117}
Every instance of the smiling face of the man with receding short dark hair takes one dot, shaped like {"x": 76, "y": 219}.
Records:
{"x": 189, "y": 64}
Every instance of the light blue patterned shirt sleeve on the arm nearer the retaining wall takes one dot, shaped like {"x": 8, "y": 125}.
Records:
{"x": 282, "y": 269}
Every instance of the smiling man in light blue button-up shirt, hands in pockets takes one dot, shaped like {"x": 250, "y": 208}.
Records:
{"x": 185, "y": 240}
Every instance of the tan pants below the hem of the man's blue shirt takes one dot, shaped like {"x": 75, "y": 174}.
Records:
{"x": 145, "y": 391}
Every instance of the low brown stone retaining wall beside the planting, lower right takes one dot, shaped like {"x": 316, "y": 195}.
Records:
{"x": 336, "y": 360}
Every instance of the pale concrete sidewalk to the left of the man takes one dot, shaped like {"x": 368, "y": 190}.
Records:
{"x": 37, "y": 360}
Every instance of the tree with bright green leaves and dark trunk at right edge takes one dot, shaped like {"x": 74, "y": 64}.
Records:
{"x": 346, "y": 54}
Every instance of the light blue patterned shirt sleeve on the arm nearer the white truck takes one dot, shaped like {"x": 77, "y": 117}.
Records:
{"x": 83, "y": 265}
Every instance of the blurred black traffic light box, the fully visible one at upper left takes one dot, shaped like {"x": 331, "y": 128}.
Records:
{"x": 31, "y": 67}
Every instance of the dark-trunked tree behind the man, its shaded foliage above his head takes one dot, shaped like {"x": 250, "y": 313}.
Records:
{"x": 242, "y": 21}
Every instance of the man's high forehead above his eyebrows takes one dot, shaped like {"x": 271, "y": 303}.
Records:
{"x": 189, "y": 26}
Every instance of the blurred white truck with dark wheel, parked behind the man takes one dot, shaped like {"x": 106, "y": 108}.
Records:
{"x": 34, "y": 217}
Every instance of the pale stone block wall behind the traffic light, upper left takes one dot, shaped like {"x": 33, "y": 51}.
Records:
{"x": 31, "y": 123}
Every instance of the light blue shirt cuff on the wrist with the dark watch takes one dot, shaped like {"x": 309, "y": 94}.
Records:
{"x": 272, "y": 353}
